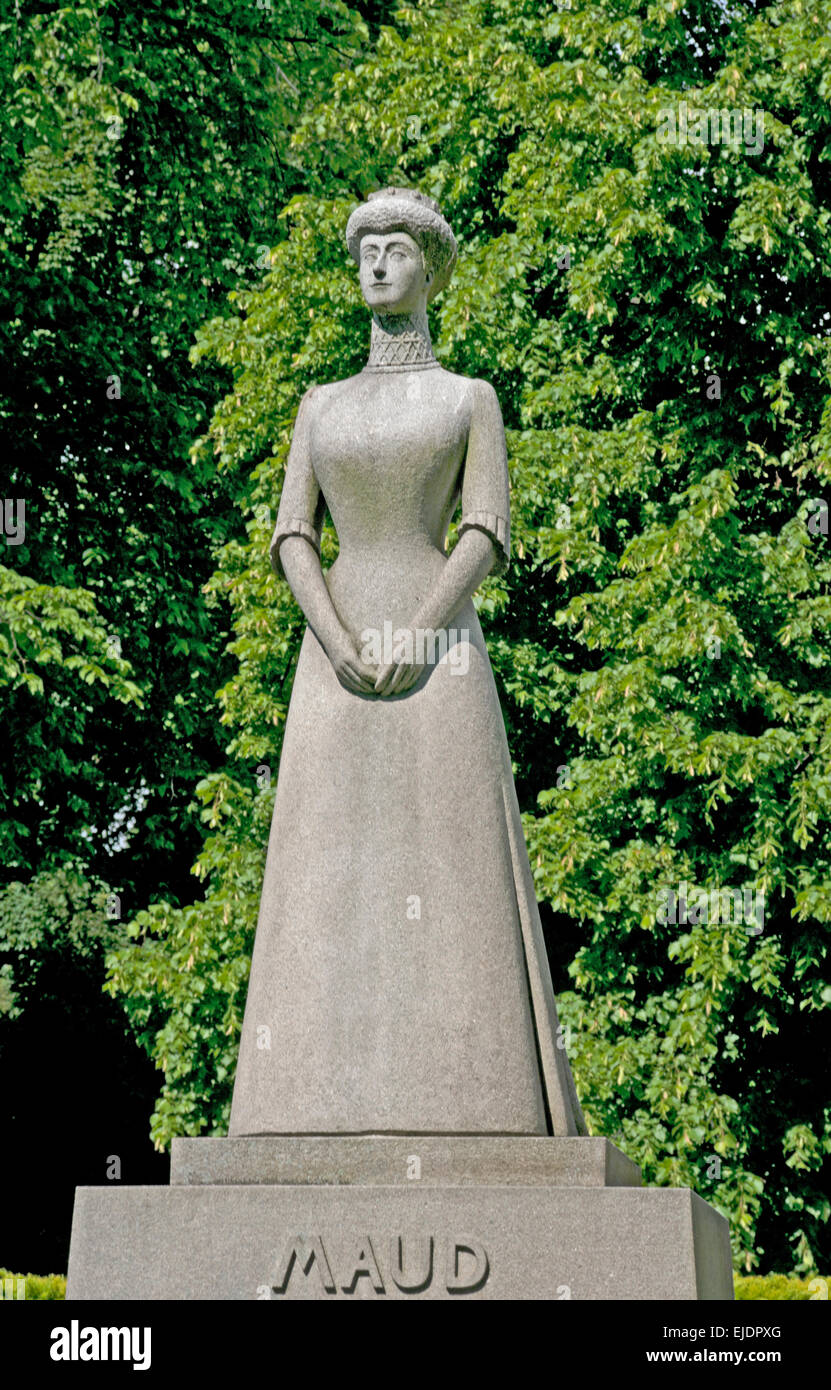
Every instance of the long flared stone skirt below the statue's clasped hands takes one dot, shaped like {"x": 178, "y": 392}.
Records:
{"x": 400, "y": 981}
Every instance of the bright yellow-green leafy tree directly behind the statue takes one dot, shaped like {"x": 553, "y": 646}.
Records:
{"x": 652, "y": 319}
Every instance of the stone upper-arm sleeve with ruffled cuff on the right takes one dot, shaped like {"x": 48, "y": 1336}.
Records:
{"x": 486, "y": 493}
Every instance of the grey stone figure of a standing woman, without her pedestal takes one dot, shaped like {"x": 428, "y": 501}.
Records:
{"x": 400, "y": 981}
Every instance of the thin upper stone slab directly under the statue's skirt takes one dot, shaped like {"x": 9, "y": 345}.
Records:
{"x": 425, "y": 1159}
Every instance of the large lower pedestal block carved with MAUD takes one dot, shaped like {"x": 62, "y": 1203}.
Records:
{"x": 580, "y": 1243}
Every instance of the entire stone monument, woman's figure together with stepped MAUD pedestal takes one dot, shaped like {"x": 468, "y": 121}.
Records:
{"x": 405, "y": 1122}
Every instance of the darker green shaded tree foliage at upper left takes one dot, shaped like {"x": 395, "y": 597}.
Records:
{"x": 144, "y": 159}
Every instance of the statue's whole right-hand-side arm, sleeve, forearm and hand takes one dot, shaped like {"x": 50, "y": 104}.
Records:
{"x": 484, "y": 540}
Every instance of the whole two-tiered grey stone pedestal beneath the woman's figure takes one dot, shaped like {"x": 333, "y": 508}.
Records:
{"x": 487, "y": 1218}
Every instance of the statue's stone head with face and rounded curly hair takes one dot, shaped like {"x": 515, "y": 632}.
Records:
{"x": 404, "y": 248}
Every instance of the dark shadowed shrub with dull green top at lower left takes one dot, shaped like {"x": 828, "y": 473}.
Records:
{"x": 74, "y": 1096}
